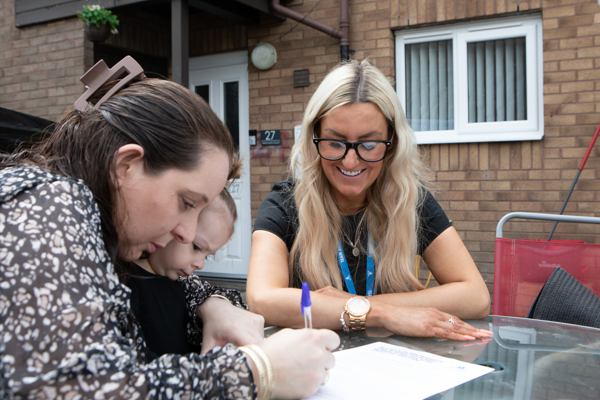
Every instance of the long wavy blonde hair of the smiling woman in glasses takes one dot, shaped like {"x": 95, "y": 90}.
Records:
{"x": 391, "y": 212}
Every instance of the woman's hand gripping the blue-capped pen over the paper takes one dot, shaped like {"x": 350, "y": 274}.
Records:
{"x": 300, "y": 358}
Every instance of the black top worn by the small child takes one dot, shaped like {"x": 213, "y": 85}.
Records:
{"x": 160, "y": 307}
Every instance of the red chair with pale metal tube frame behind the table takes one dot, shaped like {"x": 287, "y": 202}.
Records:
{"x": 522, "y": 266}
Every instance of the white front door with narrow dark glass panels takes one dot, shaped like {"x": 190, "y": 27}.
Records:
{"x": 222, "y": 80}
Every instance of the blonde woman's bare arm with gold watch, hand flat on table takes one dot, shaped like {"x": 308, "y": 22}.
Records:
{"x": 268, "y": 294}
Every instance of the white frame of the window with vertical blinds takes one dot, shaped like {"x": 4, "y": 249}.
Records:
{"x": 530, "y": 27}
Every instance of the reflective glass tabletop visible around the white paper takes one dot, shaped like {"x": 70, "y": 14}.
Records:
{"x": 533, "y": 359}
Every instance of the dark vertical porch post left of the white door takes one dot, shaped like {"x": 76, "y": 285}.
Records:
{"x": 180, "y": 42}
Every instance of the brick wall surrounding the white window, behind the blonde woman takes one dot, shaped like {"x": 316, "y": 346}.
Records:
{"x": 478, "y": 183}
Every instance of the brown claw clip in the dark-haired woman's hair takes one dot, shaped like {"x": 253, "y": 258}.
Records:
{"x": 99, "y": 74}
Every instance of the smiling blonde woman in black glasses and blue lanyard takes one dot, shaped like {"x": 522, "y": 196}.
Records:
{"x": 353, "y": 219}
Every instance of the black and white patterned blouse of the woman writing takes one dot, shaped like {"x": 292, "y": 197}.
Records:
{"x": 63, "y": 313}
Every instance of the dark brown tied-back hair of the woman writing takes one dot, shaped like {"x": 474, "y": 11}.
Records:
{"x": 173, "y": 125}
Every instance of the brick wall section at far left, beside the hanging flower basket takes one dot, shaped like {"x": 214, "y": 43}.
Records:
{"x": 40, "y": 66}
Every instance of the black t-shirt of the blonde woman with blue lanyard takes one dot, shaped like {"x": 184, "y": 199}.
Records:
{"x": 278, "y": 214}
